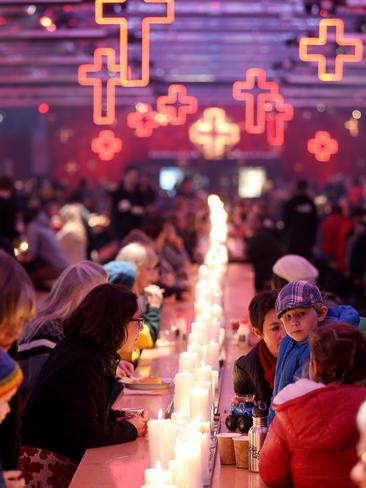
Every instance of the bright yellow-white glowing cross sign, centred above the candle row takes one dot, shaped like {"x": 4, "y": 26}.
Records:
{"x": 214, "y": 133}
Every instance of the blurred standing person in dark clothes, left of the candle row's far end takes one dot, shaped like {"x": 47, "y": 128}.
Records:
{"x": 128, "y": 204}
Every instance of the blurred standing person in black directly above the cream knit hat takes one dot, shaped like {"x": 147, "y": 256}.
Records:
{"x": 301, "y": 222}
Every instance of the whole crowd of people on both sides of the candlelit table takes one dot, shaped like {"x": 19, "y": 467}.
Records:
{"x": 84, "y": 274}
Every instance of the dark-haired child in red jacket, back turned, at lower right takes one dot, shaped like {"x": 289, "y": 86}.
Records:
{"x": 312, "y": 440}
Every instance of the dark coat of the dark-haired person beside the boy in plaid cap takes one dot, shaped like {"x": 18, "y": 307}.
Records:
{"x": 248, "y": 377}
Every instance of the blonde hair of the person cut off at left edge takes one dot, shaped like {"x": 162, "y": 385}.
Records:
{"x": 17, "y": 296}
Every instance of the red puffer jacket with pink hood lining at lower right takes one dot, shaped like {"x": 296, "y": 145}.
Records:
{"x": 312, "y": 440}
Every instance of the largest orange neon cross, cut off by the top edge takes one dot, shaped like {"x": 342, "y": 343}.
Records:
{"x": 101, "y": 18}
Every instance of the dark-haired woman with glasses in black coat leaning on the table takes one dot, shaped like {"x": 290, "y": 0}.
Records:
{"x": 68, "y": 409}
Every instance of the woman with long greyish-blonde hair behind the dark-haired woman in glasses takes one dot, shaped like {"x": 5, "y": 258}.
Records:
{"x": 46, "y": 330}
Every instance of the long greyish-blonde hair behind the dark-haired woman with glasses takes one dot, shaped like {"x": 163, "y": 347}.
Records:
{"x": 71, "y": 287}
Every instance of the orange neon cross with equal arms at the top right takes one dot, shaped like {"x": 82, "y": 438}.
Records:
{"x": 322, "y": 40}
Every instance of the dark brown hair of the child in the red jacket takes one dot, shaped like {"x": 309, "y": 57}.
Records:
{"x": 339, "y": 352}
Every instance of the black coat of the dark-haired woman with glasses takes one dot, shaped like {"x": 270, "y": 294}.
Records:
{"x": 68, "y": 409}
